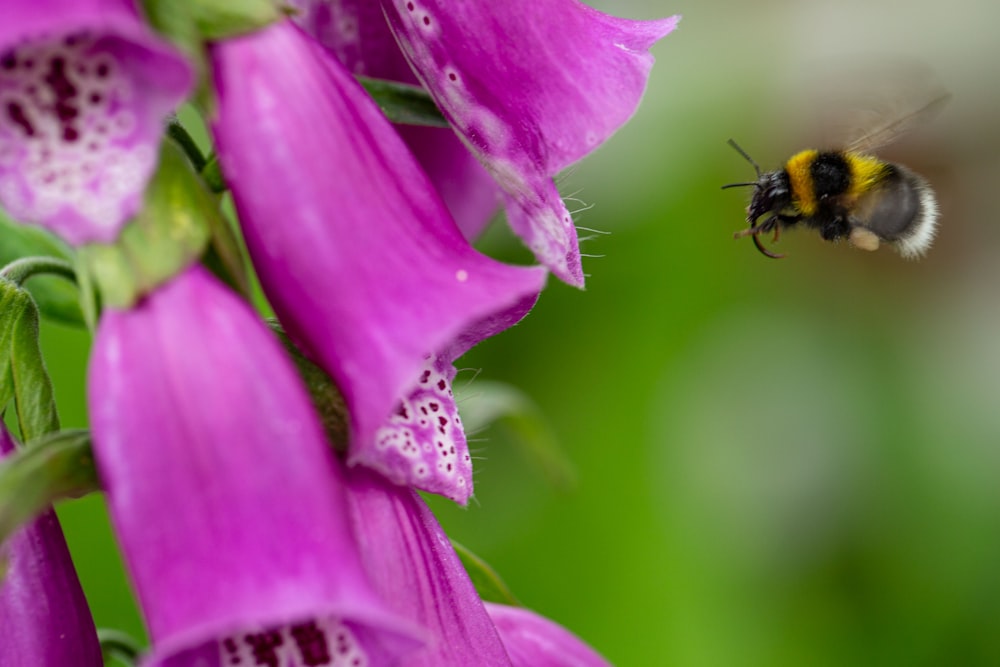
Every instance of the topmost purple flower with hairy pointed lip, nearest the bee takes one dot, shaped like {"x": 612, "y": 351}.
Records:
{"x": 531, "y": 87}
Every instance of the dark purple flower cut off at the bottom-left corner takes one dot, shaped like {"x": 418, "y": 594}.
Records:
{"x": 44, "y": 618}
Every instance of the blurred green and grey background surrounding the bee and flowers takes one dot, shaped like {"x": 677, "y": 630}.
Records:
{"x": 777, "y": 462}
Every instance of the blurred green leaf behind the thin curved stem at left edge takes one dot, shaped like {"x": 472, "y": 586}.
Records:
{"x": 56, "y": 298}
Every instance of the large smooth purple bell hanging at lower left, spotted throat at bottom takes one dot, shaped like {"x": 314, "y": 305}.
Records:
{"x": 225, "y": 497}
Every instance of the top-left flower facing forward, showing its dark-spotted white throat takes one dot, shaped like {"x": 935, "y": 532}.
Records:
{"x": 84, "y": 89}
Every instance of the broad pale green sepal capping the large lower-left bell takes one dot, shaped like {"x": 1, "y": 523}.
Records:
{"x": 169, "y": 234}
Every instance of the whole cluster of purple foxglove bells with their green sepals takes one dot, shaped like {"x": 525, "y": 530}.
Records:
{"x": 252, "y": 534}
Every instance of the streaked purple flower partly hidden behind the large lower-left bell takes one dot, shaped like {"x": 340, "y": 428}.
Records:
{"x": 415, "y": 568}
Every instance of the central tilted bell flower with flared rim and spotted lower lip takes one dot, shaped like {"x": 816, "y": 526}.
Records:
{"x": 357, "y": 253}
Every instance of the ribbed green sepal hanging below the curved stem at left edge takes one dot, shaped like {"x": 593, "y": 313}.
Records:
{"x": 22, "y": 368}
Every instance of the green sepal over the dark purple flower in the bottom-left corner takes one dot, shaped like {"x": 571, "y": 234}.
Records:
{"x": 33, "y": 478}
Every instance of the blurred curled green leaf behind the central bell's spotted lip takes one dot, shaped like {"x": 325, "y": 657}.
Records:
{"x": 486, "y": 403}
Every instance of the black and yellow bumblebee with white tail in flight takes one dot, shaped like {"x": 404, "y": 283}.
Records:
{"x": 846, "y": 193}
